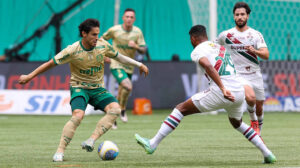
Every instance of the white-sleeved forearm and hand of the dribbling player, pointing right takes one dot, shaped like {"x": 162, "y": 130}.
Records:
{"x": 126, "y": 60}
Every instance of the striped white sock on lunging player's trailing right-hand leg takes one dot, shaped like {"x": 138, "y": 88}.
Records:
{"x": 251, "y": 135}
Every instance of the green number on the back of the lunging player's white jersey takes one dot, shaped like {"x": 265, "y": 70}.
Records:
{"x": 224, "y": 63}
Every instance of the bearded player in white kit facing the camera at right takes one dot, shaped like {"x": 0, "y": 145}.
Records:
{"x": 246, "y": 45}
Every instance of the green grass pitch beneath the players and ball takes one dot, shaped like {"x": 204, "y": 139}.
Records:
{"x": 199, "y": 141}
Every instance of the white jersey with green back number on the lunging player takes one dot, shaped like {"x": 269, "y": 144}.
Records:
{"x": 220, "y": 59}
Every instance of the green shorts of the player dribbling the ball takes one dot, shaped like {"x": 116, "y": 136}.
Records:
{"x": 99, "y": 98}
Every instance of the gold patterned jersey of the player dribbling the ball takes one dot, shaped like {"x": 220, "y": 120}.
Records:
{"x": 87, "y": 66}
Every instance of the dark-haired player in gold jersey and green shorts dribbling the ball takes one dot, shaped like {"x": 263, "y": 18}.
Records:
{"x": 85, "y": 58}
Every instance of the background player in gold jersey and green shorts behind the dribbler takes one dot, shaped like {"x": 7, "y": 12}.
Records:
{"x": 127, "y": 39}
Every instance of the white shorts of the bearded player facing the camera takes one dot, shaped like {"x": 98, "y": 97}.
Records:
{"x": 255, "y": 81}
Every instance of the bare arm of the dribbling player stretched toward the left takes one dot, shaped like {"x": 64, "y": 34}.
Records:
{"x": 42, "y": 68}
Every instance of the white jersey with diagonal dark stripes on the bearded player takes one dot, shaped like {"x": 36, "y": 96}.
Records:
{"x": 235, "y": 41}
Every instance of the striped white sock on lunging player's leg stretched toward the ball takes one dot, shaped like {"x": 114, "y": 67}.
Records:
{"x": 170, "y": 123}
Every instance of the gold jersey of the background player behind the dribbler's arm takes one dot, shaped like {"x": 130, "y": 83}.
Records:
{"x": 120, "y": 39}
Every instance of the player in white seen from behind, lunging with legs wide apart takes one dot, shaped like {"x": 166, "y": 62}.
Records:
{"x": 225, "y": 92}
